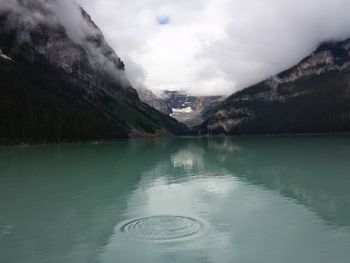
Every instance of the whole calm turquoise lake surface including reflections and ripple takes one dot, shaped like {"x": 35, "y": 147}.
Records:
{"x": 246, "y": 199}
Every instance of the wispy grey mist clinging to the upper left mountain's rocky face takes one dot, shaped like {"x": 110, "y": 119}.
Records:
{"x": 29, "y": 14}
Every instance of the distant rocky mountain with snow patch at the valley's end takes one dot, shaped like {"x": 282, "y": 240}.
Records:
{"x": 188, "y": 109}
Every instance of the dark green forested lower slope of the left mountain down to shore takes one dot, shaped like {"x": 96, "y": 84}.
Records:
{"x": 39, "y": 105}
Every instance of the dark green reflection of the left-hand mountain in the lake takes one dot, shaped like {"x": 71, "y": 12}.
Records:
{"x": 64, "y": 201}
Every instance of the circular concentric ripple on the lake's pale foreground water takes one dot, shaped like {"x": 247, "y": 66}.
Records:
{"x": 164, "y": 227}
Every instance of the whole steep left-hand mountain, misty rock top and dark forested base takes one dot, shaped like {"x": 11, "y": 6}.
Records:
{"x": 61, "y": 81}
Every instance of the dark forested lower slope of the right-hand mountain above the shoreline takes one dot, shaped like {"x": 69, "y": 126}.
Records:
{"x": 325, "y": 110}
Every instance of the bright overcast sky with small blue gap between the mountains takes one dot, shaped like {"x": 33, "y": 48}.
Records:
{"x": 215, "y": 46}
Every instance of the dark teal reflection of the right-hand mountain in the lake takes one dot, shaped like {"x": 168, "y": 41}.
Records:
{"x": 312, "y": 170}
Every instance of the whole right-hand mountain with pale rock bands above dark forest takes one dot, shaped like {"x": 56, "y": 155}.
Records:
{"x": 311, "y": 97}
